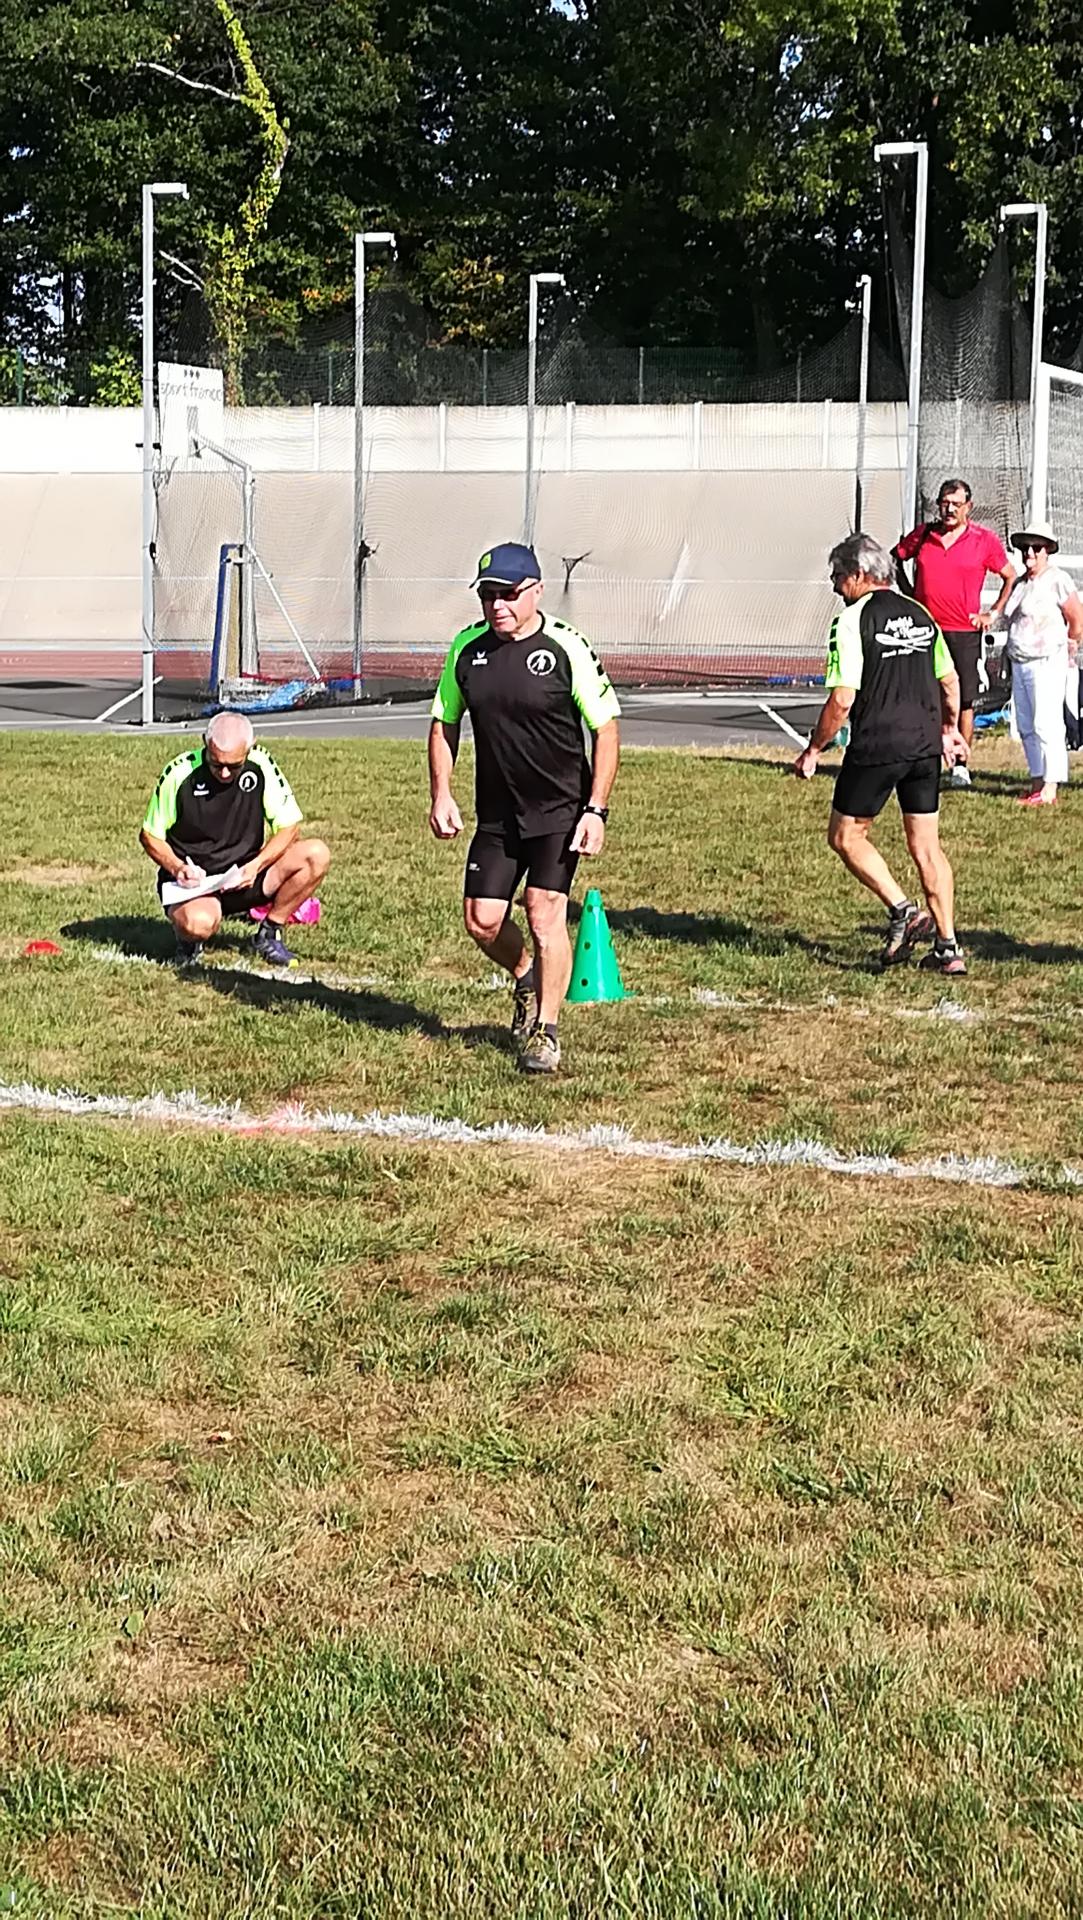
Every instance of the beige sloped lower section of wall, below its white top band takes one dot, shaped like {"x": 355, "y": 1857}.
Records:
{"x": 663, "y": 564}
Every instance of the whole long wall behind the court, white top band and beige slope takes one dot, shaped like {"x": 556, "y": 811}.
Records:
{"x": 686, "y": 540}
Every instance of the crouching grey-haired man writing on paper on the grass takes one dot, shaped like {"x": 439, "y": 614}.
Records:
{"x": 222, "y": 828}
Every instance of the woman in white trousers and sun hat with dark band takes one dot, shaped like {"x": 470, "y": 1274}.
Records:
{"x": 1046, "y": 623}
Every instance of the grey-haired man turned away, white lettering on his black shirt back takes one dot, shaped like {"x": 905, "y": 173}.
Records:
{"x": 894, "y": 681}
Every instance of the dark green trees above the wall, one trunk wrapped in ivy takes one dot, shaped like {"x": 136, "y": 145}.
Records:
{"x": 700, "y": 172}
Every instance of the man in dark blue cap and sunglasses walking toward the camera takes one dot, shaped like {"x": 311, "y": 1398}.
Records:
{"x": 529, "y": 684}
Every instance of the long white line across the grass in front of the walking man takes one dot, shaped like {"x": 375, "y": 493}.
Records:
{"x": 425, "y": 1130}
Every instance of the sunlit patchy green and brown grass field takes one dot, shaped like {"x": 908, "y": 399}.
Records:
{"x": 479, "y": 1531}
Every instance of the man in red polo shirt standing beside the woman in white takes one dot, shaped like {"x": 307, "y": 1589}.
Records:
{"x": 951, "y": 558}
